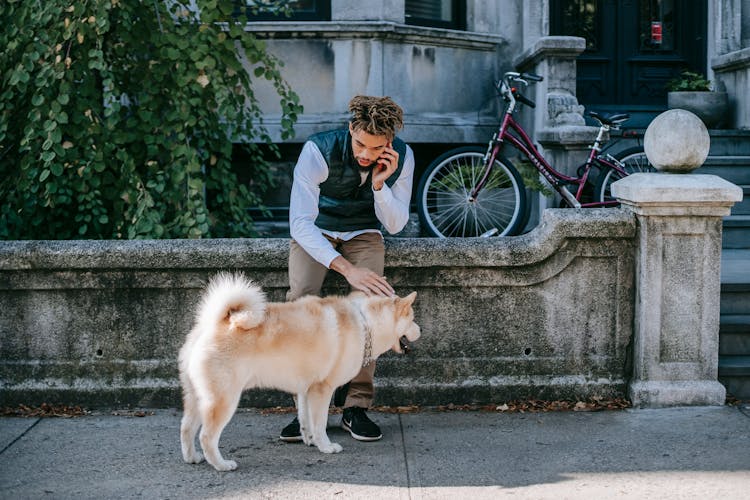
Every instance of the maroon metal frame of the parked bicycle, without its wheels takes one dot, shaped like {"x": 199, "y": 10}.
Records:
{"x": 520, "y": 140}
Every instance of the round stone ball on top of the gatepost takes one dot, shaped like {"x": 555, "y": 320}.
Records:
{"x": 676, "y": 141}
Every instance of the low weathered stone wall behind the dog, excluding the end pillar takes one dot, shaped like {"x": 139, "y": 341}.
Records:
{"x": 548, "y": 314}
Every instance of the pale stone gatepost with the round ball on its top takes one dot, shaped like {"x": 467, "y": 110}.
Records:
{"x": 678, "y": 272}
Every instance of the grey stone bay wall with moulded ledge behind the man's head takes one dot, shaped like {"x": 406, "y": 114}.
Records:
{"x": 442, "y": 78}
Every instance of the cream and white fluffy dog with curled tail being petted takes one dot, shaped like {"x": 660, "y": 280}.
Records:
{"x": 308, "y": 347}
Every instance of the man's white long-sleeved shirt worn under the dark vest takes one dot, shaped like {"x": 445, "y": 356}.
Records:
{"x": 391, "y": 204}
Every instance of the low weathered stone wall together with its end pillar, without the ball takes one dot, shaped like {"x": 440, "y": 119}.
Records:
{"x": 592, "y": 302}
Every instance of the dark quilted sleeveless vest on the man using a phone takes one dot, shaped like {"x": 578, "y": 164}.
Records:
{"x": 345, "y": 205}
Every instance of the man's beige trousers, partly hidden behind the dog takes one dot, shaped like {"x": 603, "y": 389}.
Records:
{"x": 306, "y": 277}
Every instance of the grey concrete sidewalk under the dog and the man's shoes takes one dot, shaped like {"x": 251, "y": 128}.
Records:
{"x": 701, "y": 452}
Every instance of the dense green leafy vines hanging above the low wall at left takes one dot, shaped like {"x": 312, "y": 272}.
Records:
{"x": 118, "y": 119}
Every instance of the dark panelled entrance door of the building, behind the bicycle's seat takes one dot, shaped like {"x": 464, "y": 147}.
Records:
{"x": 633, "y": 48}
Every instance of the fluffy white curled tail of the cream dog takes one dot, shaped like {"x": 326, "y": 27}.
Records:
{"x": 234, "y": 298}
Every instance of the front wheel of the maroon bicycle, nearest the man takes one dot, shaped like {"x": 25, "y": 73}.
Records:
{"x": 443, "y": 196}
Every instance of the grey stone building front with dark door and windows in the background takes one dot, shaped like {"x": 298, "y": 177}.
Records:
{"x": 440, "y": 58}
